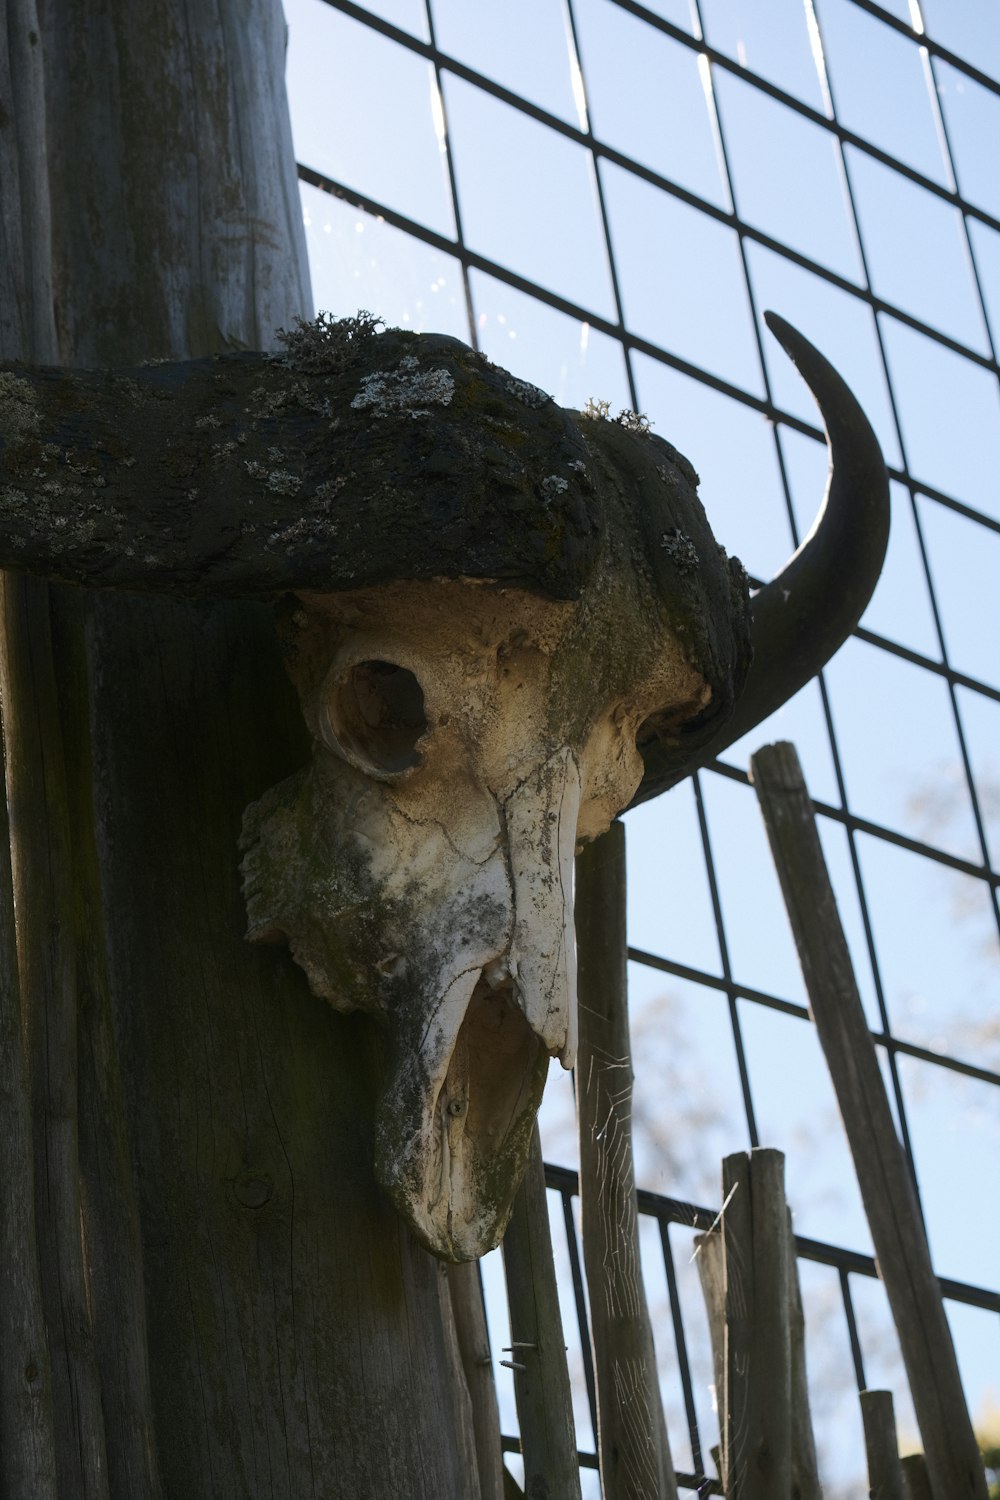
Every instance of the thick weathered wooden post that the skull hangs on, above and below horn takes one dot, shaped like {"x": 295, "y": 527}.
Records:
{"x": 224, "y": 1291}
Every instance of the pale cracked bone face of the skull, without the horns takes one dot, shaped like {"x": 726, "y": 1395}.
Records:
{"x": 467, "y": 736}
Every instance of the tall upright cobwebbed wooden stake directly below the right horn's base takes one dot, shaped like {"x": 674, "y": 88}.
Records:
{"x": 633, "y": 1447}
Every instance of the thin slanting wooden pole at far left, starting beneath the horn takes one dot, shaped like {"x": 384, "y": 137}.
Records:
{"x": 47, "y": 899}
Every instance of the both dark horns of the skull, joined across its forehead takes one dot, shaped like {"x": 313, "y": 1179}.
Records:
{"x": 355, "y": 458}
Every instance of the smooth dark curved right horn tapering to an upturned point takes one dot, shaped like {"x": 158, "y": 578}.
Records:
{"x": 810, "y": 608}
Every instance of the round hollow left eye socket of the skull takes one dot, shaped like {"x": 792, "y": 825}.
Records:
{"x": 374, "y": 718}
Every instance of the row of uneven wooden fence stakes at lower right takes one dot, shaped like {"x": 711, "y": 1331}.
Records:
{"x": 747, "y": 1261}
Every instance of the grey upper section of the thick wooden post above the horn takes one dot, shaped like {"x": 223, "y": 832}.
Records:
{"x": 176, "y": 221}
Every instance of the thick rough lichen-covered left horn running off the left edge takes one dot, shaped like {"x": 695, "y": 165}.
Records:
{"x": 352, "y": 458}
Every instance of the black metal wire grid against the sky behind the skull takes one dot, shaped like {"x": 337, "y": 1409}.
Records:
{"x": 633, "y": 343}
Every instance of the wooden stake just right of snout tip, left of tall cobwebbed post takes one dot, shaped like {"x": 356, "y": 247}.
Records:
{"x": 537, "y": 1355}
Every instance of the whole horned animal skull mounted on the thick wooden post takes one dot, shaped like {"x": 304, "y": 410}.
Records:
{"x": 507, "y": 622}
